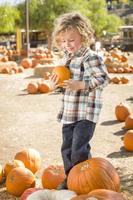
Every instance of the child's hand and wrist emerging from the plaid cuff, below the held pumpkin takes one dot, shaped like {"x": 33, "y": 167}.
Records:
{"x": 74, "y": 85}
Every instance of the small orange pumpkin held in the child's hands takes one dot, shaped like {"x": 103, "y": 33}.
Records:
{"x": 62, "y": 72}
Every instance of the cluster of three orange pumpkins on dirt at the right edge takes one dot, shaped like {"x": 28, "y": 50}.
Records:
{"x": 124, "y": 114}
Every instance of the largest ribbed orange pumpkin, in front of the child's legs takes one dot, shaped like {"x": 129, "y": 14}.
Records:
{"x": 94, "y": 173}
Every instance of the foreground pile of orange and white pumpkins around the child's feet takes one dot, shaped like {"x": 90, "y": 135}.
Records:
{"x": 95, "y": 177}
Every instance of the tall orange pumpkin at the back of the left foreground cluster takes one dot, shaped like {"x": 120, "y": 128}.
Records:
{"x": 31, "y": 159}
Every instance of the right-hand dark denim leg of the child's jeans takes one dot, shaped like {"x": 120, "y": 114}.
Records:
{"x": 82, "y": 134}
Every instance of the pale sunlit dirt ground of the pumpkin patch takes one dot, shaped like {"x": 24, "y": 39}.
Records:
{"x": 30, "y": 121}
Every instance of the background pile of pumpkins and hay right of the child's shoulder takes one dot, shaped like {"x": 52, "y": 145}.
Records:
{"x": 117, "y": 62}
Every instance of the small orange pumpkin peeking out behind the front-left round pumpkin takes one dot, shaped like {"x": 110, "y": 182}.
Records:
{"x": 12, "y": 164}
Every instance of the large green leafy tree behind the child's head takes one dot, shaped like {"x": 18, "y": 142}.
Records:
{"x": 42, "y": 14}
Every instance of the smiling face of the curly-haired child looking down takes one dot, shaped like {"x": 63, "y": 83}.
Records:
{"x": 71, "y": 40}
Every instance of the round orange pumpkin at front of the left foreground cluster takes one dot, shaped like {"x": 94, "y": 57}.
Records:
{"x": 18, "y": 180}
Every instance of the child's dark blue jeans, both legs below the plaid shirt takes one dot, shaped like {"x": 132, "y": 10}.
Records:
{"x": 75, "y": 146}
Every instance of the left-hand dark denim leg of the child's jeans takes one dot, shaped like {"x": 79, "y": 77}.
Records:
{"x": 67, "y": 137}
